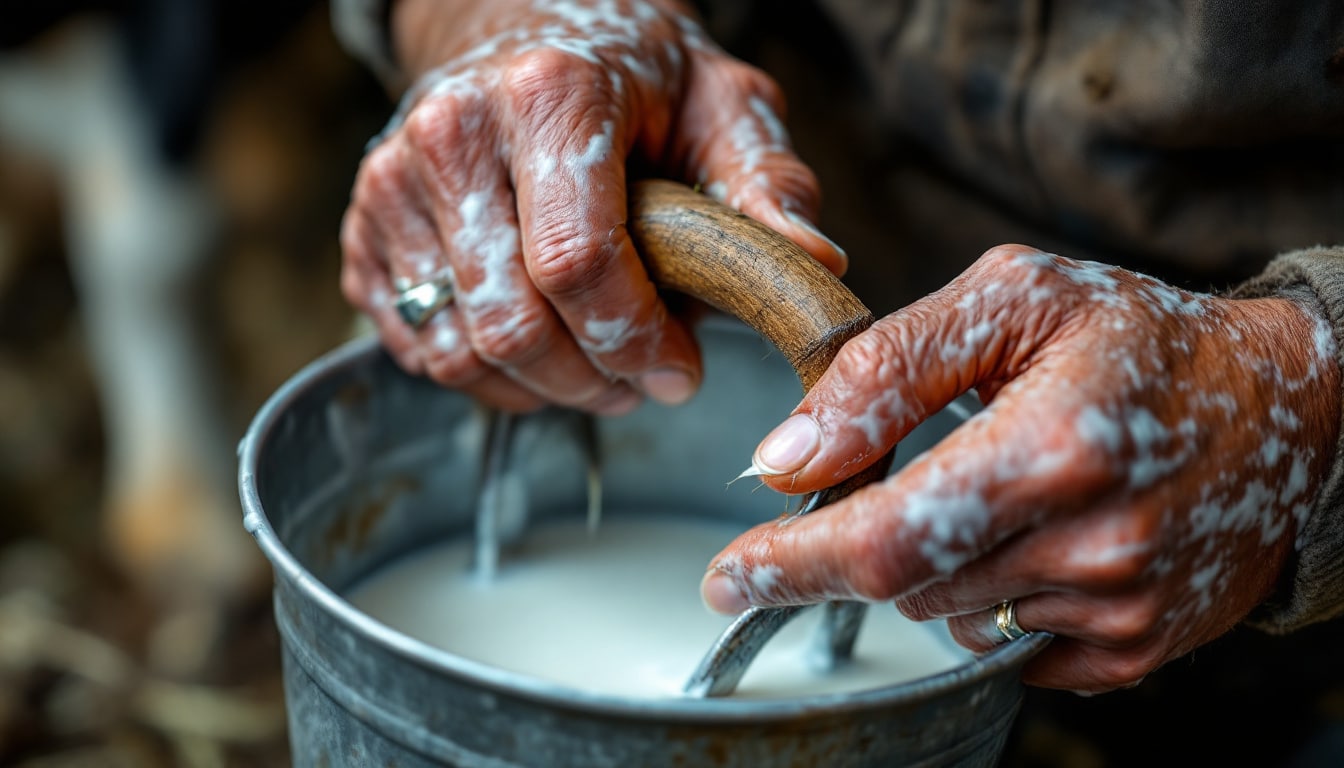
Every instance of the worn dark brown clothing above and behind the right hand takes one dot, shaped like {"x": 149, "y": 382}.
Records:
{"x": 1206, "y": 134}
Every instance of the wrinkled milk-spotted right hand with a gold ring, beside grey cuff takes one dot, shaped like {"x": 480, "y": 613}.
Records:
{"x": 1138, "y": 479}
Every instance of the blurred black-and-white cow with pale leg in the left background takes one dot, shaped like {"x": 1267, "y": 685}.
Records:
{"x": 115, "y": 98}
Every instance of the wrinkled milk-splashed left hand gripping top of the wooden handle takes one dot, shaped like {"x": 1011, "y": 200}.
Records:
{"x": 506, "y": 169}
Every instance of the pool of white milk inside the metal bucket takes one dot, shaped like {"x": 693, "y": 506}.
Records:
{"x": 618, "y": 611}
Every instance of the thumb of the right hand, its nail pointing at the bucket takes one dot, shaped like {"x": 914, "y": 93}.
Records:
{"x": 980, "y": 332}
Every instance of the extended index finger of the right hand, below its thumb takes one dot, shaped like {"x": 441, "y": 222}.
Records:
{"x": 940, "y": 513}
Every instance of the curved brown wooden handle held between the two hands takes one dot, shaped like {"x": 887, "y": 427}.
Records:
{"x": 702, "y": 248}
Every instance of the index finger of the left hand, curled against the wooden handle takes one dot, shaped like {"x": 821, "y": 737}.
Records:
{"x": 580, "y": 255}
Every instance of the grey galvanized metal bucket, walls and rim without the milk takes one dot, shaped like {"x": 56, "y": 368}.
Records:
{"x": 353, "y": 465}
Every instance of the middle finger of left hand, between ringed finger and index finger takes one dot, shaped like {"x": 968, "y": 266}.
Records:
{"x": 509, "y": 323}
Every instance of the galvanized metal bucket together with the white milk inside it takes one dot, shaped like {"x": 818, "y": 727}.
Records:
{"x": 353, "y": 466}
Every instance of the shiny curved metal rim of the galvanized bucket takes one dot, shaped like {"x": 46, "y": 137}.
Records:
{"x": 505, "y": 683}
